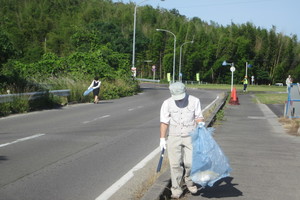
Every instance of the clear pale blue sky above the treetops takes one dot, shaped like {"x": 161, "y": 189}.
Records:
{"x": 283, "y": 14}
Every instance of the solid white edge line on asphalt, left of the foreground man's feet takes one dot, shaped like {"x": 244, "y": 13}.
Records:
{"x": 124, "y": 179}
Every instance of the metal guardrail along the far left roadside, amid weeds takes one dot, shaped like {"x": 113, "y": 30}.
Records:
{"x": 32, "y": 95}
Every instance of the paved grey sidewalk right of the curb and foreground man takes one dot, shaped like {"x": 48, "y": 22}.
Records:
{"x": 265, "y": 160}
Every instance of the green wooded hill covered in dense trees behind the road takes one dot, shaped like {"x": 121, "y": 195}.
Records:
{"x": 86, "y": 37}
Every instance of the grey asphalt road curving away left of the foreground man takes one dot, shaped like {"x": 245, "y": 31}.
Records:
{"x": 79, "y": 151}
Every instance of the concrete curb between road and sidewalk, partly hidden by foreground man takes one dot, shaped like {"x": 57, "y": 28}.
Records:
{"x": 161, "y": 188}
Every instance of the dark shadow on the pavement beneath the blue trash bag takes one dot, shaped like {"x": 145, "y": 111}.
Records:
{"x": 221, "y": 188}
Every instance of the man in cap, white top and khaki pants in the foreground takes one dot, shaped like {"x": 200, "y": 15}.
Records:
{"x": 179, "y": 116}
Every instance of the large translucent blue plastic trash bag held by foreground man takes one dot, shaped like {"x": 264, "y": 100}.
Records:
{"x": 209, "y": 164}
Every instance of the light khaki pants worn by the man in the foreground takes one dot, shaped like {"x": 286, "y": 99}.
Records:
{"x": 180, "y": 150}
